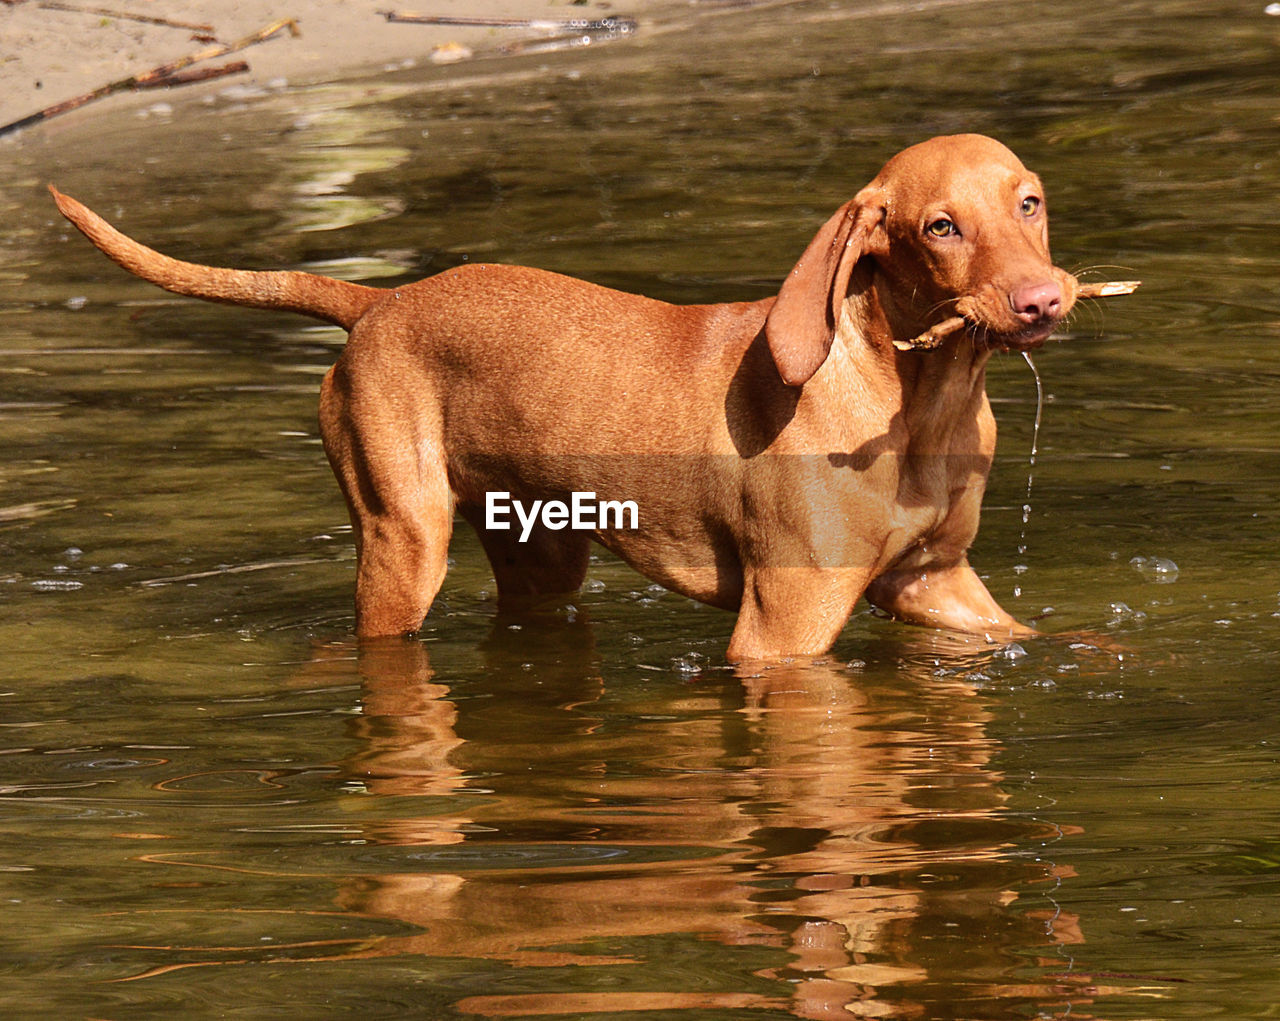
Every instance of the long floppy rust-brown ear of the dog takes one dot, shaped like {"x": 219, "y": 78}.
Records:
{"x": 803, "y": 322}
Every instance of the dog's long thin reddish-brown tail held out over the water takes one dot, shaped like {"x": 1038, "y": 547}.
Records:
{"x": 322, "y": 297}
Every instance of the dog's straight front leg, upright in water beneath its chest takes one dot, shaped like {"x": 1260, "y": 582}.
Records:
{"x": 794, "y": 611}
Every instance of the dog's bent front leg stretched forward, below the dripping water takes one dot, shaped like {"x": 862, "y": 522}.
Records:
{"x": 949, "y": 597}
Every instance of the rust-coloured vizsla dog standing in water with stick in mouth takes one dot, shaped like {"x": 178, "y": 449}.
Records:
{"x": 781, "y": 457}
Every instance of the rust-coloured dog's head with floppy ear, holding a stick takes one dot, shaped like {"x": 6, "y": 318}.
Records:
{"x": 956, "y": 226}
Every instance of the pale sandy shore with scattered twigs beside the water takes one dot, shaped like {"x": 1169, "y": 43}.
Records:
{"x": 56, "y": 52}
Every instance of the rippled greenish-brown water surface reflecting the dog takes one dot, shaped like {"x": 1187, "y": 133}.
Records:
{"x": 212, "y": 805}
